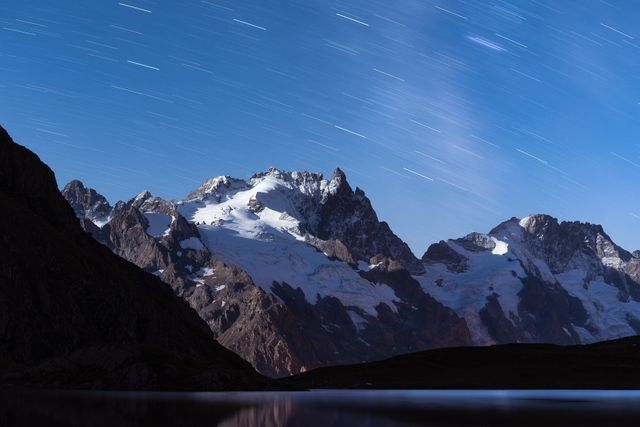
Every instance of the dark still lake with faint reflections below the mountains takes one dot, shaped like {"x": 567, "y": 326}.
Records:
{"x": 321, "y": 408}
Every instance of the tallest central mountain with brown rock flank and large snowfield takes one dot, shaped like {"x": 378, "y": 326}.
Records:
{"x": 247, "y": 256}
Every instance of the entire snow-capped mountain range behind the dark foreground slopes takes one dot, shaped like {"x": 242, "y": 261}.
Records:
{"x": 294, "y": 271}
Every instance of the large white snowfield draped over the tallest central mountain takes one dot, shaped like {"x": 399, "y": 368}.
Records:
{"x": 256, "y": 227}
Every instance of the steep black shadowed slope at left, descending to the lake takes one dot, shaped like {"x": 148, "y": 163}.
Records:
{"x": 72, "y": 314}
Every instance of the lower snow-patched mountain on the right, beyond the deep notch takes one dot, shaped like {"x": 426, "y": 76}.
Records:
{"x": 537, "y": 280}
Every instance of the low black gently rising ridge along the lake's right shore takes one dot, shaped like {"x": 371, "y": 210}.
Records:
{"x": 605, "y": 365}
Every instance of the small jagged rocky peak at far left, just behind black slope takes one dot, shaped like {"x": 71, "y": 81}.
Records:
{"x": 87, "y": 203}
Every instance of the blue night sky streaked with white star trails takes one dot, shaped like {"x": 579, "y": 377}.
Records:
{"x": 452, "y": 115}
